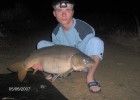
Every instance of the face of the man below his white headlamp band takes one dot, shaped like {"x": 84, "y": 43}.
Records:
{"x": 63, "y": 15}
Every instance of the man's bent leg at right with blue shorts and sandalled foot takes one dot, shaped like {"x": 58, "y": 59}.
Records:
{"x": 95, "y": 49}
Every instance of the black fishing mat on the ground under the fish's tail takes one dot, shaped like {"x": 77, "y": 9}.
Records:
{"x": 33, "y": 87}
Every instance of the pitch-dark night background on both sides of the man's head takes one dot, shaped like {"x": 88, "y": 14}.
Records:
{"x": 19, "y": 15}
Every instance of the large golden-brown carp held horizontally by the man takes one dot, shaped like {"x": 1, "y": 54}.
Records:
{"x": 59, "y": 60}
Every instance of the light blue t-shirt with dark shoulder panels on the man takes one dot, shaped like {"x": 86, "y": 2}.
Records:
{"x": 77, "y": 36}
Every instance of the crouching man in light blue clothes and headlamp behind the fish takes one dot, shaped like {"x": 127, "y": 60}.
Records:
{"x": 76, "y": 33}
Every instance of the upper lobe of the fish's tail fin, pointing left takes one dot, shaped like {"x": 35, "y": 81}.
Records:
{"x": 15, "y": 67}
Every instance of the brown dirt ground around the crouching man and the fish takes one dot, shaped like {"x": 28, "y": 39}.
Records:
{"x": 118, "y": 73}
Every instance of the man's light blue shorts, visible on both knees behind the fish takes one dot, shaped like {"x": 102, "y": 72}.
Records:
{"x": 95, "y": 46}
